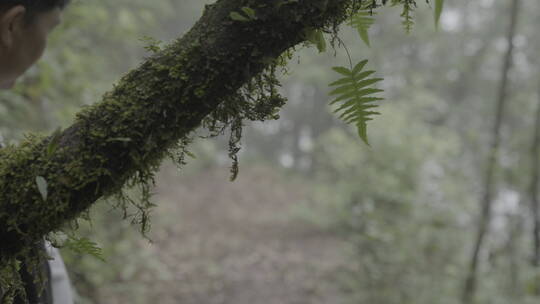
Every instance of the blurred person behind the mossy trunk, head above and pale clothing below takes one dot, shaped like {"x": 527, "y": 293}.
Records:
{"x": 24, "y": 28}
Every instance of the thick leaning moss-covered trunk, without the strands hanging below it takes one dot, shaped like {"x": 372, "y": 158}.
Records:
{"x": 126, "y": 136}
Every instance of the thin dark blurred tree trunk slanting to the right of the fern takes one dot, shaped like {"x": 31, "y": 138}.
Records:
{"x": 470, "y": 287}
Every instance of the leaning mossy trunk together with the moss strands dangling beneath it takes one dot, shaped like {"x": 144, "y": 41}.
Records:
{"x": 219, "y": 75}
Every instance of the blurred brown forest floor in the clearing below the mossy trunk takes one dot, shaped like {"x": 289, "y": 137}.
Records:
{"x": 240, "y": 242}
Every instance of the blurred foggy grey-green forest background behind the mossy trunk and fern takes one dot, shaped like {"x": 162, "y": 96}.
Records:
{"x": 316, "y": 216}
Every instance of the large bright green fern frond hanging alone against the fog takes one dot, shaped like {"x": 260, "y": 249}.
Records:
{"x": 354, "y": 94}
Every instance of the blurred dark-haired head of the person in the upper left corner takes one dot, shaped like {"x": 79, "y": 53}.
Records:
{"x": 24, "y": 27}
